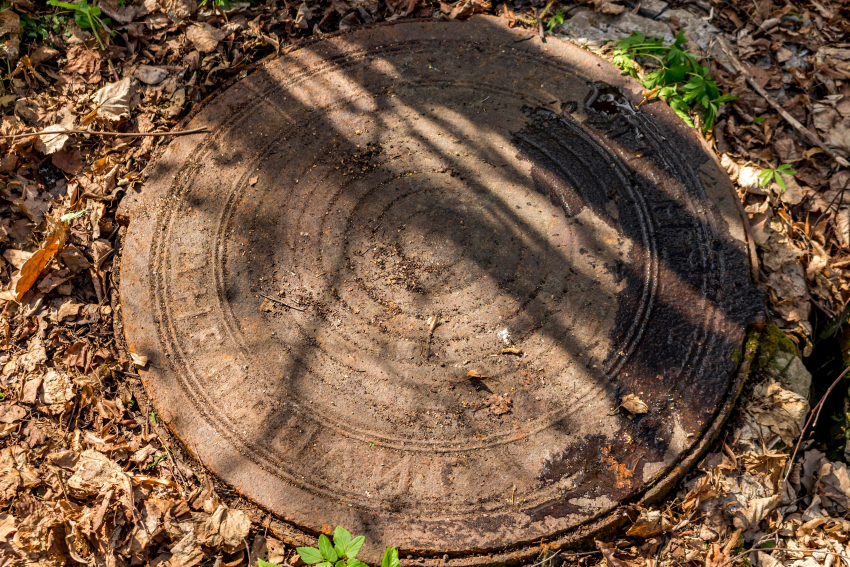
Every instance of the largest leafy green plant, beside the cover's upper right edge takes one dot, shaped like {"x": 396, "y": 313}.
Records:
{"x": 680, "y": 79}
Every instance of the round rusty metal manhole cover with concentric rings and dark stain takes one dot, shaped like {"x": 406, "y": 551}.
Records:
{"x": 409, "y": 277}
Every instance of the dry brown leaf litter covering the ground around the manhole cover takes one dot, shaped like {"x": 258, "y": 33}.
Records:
{"x": 88, "y": 474}
